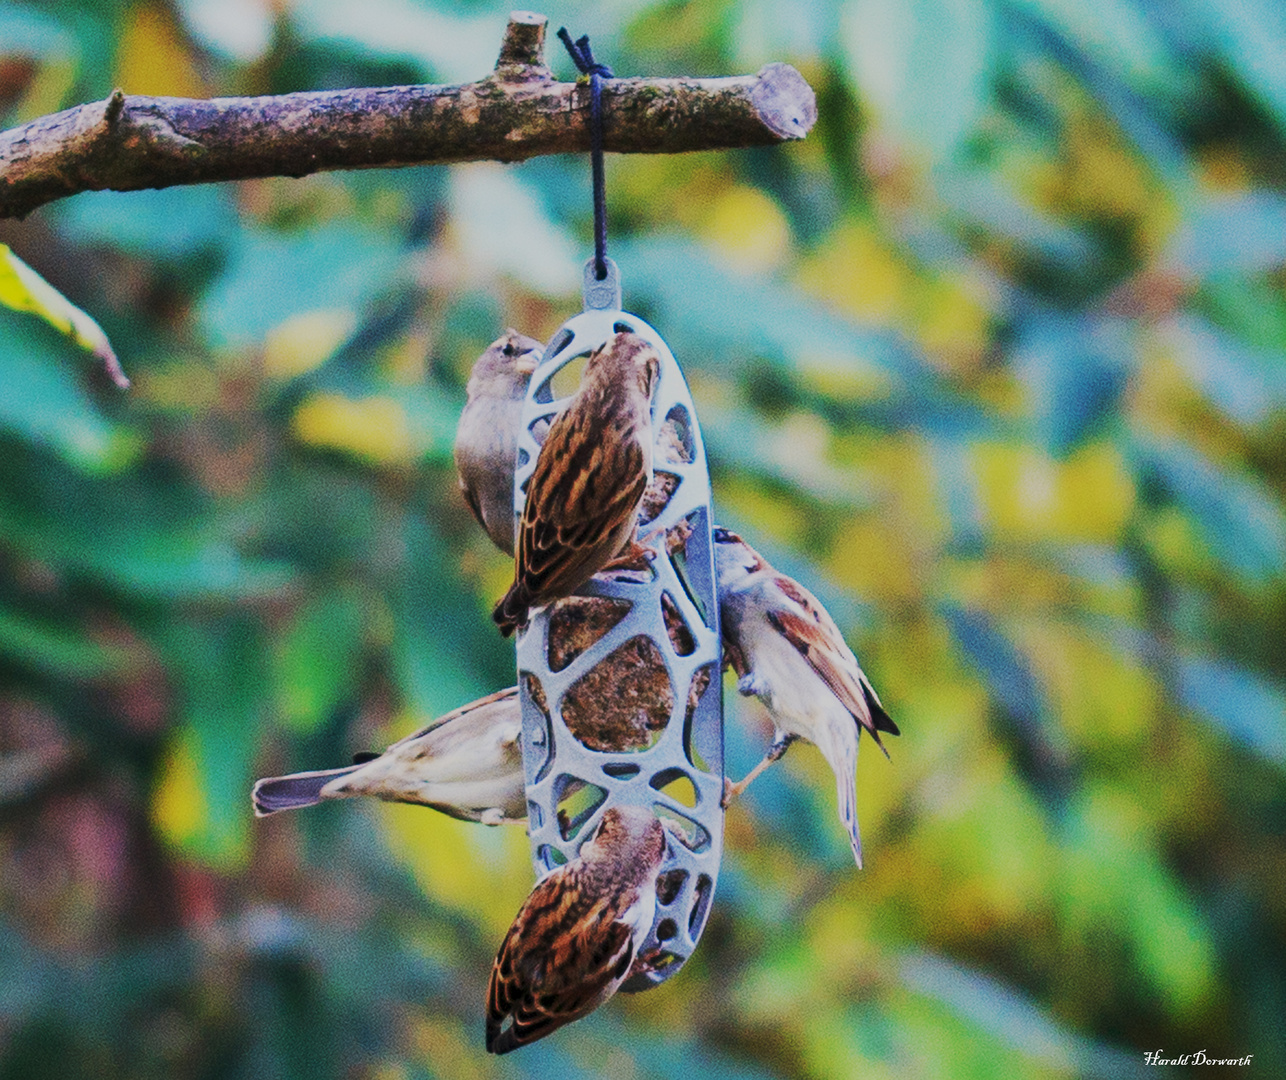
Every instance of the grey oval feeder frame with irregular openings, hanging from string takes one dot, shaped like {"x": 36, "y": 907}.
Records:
{"x": 673, "y": 606}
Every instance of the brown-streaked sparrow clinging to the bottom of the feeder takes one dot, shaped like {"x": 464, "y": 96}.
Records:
{"x": 577, "y": 937}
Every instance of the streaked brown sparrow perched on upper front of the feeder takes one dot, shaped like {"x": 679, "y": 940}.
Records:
{"x": 583, "y": 499}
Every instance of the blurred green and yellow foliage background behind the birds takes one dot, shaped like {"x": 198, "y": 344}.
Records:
{"x": 993, "y": 362}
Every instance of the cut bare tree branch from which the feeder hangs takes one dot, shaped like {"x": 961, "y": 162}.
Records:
{"x": 128, "y": 142}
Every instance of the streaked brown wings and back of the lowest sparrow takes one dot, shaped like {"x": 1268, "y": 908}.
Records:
{"x": 559, "y": 961}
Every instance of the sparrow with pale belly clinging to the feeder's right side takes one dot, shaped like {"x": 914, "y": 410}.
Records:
{"x": 788, "y": 651}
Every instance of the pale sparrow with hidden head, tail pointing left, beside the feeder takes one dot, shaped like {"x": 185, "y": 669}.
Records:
{"x": 467, "y": 764}
